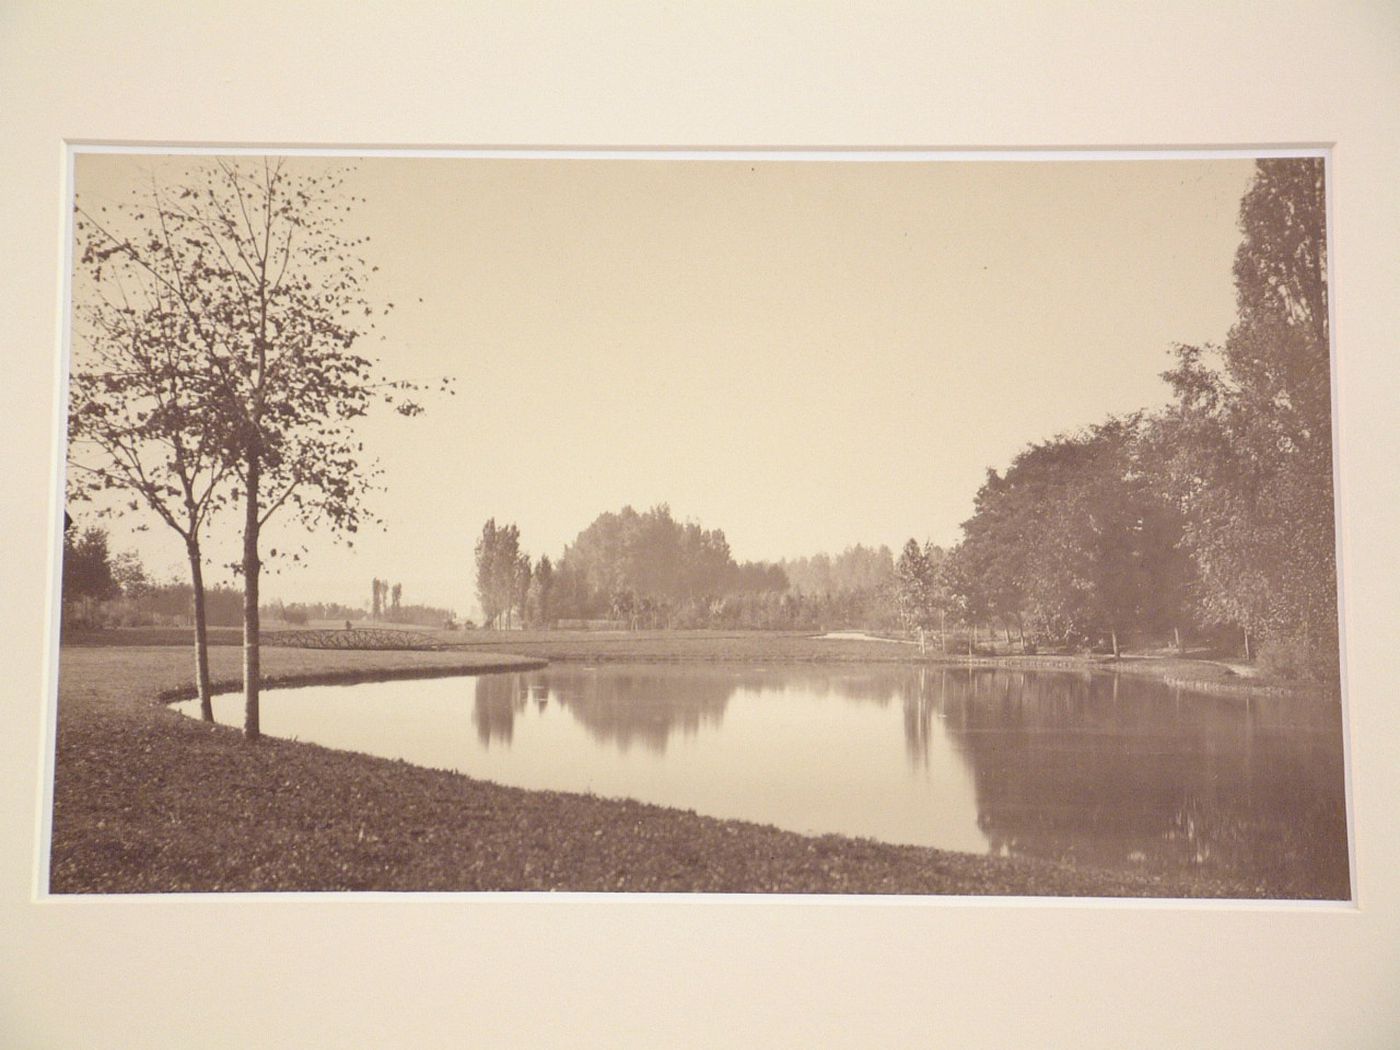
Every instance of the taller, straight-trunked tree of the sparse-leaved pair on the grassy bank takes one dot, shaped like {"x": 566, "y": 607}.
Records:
{"x": 268, "y": 288}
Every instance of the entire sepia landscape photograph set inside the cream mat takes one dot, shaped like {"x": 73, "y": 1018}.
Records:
{"x": 698, "y": 523}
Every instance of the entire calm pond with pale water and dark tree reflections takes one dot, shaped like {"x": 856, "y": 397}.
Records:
{"x": 1093, "y": 769}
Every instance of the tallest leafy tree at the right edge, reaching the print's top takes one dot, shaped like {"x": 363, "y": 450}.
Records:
{"x": 1252, "y": 426}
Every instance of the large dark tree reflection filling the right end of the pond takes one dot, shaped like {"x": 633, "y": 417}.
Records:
{"x": 1111, "y": 771}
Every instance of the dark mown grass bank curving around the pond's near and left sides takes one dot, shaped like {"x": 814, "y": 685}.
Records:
{"x": 150, "y": 801}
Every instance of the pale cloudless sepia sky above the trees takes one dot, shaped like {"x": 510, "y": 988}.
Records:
{"x": 807, "y": 355}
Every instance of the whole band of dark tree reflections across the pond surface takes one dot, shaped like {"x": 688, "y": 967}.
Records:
{"x": 1094, "y": 769}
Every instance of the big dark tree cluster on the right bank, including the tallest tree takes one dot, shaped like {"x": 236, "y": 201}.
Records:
{"x": 1214, "y": 514}
